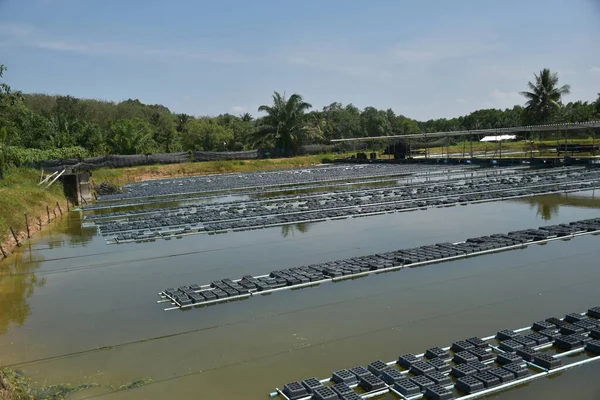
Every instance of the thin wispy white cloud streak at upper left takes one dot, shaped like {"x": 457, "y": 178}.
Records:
{"x": 26, "y": 36}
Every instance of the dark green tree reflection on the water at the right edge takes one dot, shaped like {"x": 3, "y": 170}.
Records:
{"x": 548, "y": 206}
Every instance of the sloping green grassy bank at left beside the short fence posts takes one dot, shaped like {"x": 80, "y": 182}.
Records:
{"x": 20, "y": 193}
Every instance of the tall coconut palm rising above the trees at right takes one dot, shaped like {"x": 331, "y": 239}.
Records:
{"x": 545, "y": 96}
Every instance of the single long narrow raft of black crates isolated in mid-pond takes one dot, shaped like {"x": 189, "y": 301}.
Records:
{"x": 194, "y": 295}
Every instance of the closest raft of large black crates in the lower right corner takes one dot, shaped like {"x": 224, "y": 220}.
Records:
{"x": 468, "y": 369}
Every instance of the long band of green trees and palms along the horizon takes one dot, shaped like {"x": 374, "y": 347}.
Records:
{"x": 96, "y": 127}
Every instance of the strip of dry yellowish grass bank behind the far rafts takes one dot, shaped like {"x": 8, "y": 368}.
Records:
{"x": 133, "y": 174}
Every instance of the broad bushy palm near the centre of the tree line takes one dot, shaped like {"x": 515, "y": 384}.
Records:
{"x": 284, "y": 125}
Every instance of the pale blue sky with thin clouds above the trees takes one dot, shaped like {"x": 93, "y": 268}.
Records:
{"x": 422, "y": 58}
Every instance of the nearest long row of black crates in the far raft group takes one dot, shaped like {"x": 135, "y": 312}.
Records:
{"x": 179, "y": 225}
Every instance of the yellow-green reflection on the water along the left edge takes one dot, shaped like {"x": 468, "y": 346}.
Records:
{"x": 17, "y": 283}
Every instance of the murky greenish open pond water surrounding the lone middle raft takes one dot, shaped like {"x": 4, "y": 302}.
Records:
{"x": 77, "y": 310}
